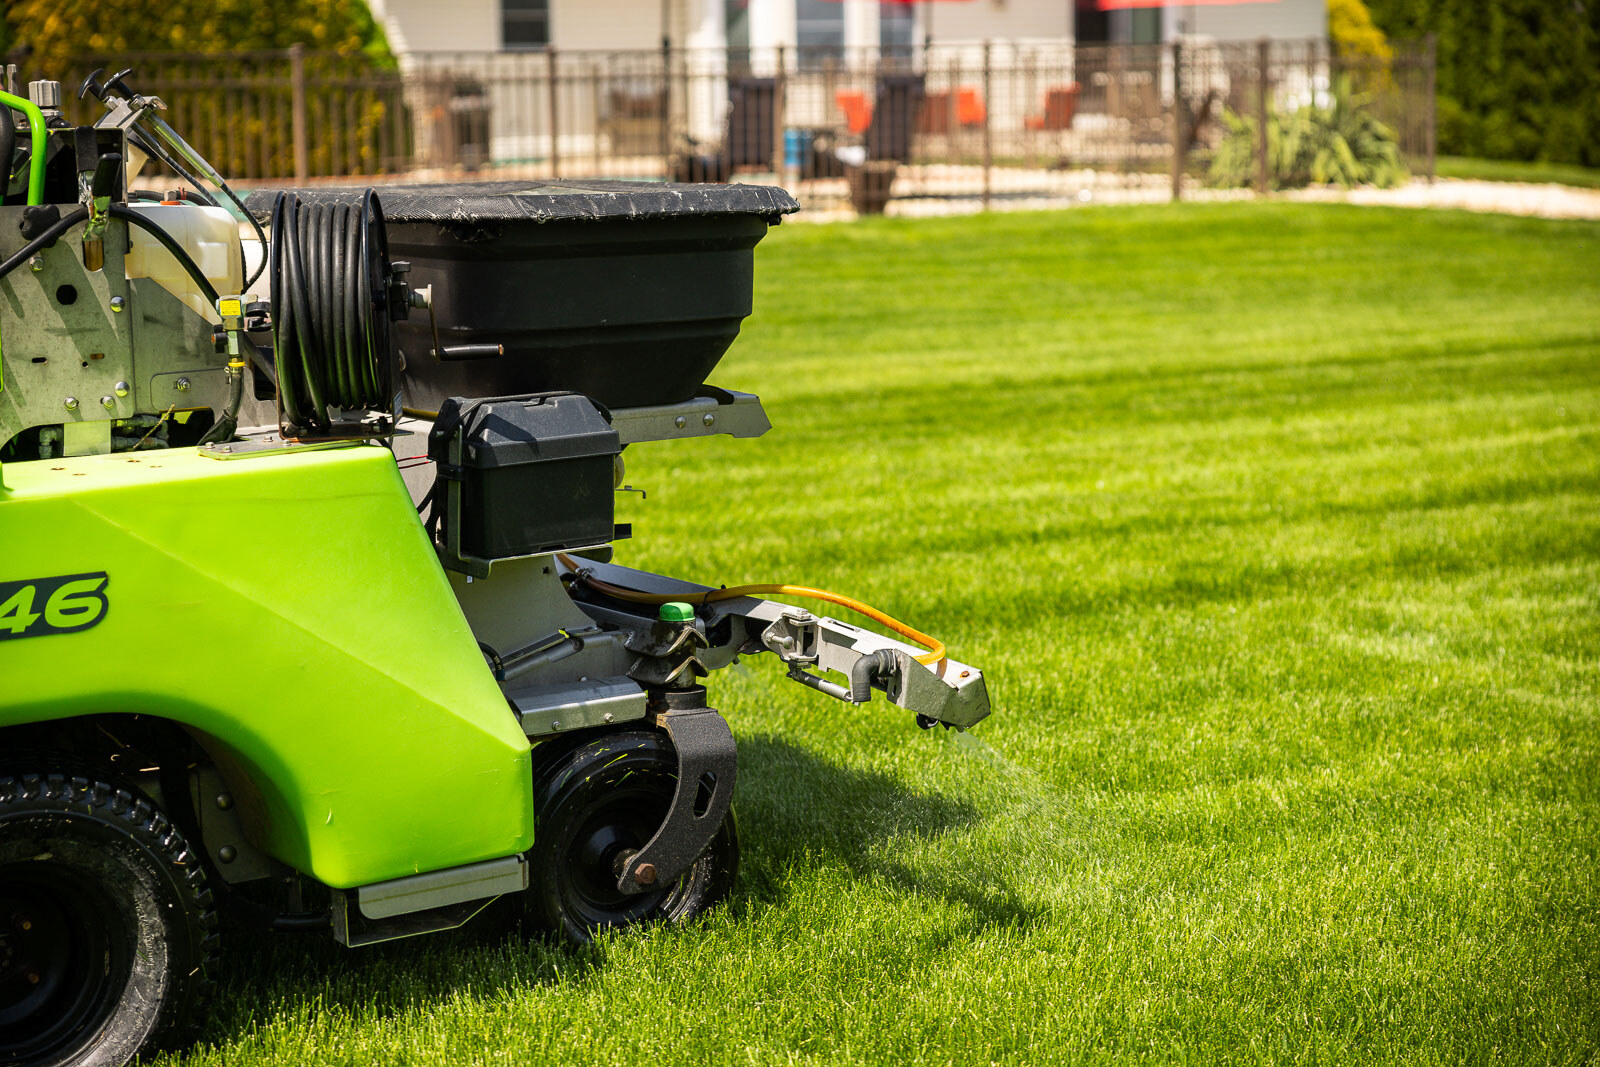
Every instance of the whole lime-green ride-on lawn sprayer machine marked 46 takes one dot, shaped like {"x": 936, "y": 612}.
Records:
{"x": 308, "y": 609}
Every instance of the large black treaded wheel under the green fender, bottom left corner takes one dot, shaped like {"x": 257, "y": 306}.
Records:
{"x": 106, "y": 925}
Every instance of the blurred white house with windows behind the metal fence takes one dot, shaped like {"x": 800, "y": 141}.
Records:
{"x": 490, "y": 62}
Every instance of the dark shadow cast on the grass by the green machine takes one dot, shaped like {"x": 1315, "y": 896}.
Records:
{"x": 796, "y": 810}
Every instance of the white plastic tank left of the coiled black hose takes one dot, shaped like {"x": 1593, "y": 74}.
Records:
{"x": 210, "y": 236}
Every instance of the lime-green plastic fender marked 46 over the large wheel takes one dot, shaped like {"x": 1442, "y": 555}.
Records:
{"x": 290, "y": 612}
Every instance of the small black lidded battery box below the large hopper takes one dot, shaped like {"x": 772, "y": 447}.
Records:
{"x": 532, "y": 474}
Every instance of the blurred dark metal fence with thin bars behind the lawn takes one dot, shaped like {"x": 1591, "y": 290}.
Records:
{"x": 926, "y": 129}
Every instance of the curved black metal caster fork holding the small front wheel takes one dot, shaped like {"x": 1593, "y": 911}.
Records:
{"x": 708, "y": 765}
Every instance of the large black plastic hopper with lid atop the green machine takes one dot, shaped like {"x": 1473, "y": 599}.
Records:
{"x": 623, "y": 292}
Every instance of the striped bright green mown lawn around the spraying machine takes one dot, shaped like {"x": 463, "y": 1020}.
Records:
{"x": 1278, "y": 533}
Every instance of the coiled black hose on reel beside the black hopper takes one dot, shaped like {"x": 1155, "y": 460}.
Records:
{"x": 330, "y": 334}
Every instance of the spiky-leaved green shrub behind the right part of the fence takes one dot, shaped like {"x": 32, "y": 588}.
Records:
{"x": 1342, "y": 145}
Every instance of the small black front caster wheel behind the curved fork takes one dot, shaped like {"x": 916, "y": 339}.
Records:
{"x": 594, "y": 802}
